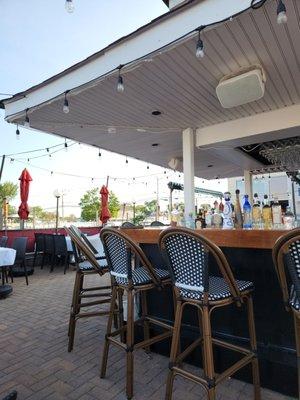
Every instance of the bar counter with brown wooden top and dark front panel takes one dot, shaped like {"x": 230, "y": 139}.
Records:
{"x": 249, "y": 253}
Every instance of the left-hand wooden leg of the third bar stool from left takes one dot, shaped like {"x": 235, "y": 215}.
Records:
{"x": 174, "y": 350}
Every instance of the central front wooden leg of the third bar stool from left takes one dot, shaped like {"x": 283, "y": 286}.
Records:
{"x": 208, "y": 354}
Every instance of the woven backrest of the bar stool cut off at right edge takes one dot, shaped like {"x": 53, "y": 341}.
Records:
{"x": 292, "y": 263}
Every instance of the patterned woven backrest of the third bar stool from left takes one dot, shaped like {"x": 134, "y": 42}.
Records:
{"x": 188, "y": 262}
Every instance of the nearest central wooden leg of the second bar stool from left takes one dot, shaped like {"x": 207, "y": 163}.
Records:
{"x": 129, "y": 344}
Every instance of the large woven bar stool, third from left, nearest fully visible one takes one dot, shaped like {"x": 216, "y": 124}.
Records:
{"x": 187, "y": 254}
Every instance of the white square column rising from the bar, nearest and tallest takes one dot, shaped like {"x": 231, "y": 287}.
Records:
{"x": 188, "y": 148}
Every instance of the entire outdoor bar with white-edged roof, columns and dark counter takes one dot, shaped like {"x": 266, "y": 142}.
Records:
{"x": 169, "y": 113}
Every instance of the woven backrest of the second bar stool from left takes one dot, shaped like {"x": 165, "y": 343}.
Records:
{"x": 118, "y": 255}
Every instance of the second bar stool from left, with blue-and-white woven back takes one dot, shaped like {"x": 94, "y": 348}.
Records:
{"x": 131, "y": 272}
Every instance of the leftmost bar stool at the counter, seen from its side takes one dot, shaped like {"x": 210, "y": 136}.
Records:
{"x": 86, "y": 265}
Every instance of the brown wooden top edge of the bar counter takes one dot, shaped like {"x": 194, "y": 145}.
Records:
{"x": 251, "y": 239}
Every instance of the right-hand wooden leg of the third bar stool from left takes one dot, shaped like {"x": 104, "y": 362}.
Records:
{"x": 253, "y": 344}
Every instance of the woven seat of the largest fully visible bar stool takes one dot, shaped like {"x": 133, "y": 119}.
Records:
{"x": 218, "y": 289}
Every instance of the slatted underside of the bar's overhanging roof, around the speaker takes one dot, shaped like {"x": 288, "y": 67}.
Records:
{"x": 182, "y": 87}
